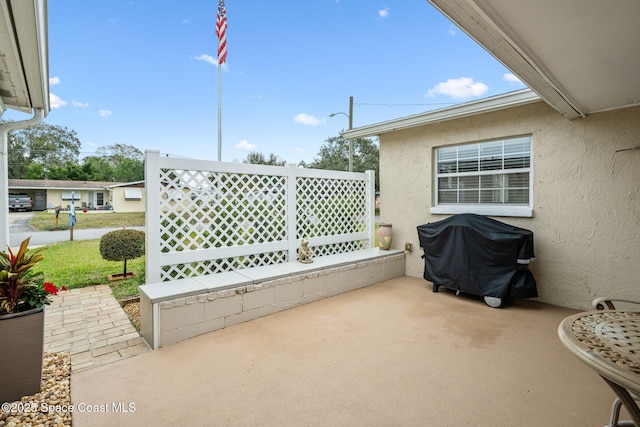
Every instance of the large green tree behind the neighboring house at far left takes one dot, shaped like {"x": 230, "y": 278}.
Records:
{"x": 48, "y": 145}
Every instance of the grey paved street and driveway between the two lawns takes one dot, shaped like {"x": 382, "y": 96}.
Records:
{"x": 19, "y": 230}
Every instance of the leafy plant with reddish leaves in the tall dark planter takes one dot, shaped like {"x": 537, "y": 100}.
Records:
{"x": 21, "y": 289}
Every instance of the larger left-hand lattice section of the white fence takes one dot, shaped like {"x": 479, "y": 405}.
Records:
{"x": 204, "y": 210}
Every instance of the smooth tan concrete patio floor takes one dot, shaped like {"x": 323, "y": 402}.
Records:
{"x": 391, "y": 354}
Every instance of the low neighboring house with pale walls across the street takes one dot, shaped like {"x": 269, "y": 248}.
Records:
{"x": 90, "y": 195}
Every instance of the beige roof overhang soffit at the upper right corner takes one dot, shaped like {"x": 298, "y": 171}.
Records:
{"x": 580, "y": 56}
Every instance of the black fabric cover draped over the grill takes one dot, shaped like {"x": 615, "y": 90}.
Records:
{"x": 478, "y": 255}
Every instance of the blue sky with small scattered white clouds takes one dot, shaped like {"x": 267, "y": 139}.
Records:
{"x": 145, "y": 73}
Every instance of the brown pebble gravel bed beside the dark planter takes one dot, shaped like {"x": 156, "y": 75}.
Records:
{"x": 47, "y": 407}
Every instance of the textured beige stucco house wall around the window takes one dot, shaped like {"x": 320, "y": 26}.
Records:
{"x": 586, "y": 195}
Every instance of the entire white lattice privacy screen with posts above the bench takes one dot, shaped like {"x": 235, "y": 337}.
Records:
{"x": 210, "y": 217}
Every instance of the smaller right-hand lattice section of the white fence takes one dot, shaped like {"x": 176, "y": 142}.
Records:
{"x": 329, "y": 207}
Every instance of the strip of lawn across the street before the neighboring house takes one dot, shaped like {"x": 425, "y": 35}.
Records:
{"x": 44, "y": 221}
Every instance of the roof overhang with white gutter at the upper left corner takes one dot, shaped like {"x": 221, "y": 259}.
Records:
{"x": 24, "y": 60}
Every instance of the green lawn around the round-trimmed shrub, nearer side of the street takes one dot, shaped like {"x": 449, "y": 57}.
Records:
{"x": 78, "y": 264}
